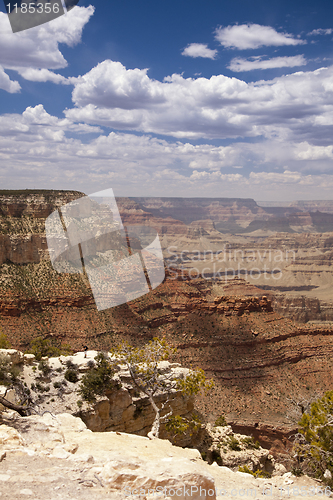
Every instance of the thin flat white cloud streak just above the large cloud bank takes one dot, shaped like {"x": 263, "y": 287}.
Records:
{"x": 239, "y": 64}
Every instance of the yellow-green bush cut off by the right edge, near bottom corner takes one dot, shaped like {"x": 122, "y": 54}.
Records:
{"x": 313, "y": 444}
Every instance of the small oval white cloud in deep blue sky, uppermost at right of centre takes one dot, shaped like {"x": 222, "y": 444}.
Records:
{"x": 253, "y": 36}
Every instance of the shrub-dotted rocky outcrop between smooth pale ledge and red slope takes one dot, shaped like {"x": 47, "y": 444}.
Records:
{"x": 123, "y": 409}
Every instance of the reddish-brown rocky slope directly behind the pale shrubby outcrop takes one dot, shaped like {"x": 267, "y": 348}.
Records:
{"x": 257, "y": 357}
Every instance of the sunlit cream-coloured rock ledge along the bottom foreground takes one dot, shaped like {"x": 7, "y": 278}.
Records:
{"x": 58, "y": 457}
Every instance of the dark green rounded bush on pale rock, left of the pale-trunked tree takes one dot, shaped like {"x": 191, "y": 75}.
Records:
{"x": 97, "y": 379}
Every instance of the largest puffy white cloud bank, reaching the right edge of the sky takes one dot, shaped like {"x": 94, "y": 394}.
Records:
{"x": 295, "y": 105}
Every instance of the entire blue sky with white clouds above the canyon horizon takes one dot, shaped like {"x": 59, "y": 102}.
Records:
{"x": 177, "y": 98}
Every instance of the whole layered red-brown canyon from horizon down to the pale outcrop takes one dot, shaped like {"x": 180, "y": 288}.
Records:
{"x": 263, "y": 340}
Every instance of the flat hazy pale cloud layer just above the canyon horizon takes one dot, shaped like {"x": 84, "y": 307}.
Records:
{"x": 35, "y": 151}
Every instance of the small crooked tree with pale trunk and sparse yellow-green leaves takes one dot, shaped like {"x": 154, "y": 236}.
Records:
{"x": 148, "y": 378}
